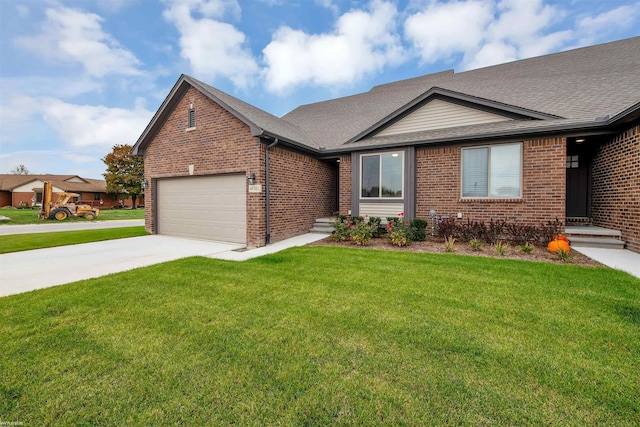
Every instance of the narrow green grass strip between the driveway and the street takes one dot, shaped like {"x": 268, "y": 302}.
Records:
{"x": 27, "y": 242}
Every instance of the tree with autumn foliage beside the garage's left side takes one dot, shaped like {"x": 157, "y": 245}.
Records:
{"x": 125, "y": 172}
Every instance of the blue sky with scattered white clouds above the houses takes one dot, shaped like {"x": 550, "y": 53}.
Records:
{"x": 80, "y": 76}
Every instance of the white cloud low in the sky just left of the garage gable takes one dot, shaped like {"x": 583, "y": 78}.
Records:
{"x": 81, "y": 126}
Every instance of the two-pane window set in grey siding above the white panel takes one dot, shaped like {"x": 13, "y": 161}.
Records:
{"x": 382, "y": 175}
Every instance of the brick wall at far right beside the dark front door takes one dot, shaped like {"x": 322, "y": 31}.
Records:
{"x": 615, "y": 195}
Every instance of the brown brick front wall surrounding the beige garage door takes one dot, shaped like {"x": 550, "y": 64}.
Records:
{"x": 220, "y": 144}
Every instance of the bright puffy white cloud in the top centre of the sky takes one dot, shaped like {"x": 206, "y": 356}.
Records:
{"x": 363, "y": 42}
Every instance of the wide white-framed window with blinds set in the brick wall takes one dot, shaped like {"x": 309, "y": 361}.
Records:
{"x": 492, "y": 171}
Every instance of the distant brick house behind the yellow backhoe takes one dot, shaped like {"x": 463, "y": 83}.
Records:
{"x": 26, "y": 190}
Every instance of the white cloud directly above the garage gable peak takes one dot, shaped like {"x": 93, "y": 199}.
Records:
{"x": 213, "y": 48}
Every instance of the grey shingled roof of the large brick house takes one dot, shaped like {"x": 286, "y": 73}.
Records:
{"x": 593, "y": 87}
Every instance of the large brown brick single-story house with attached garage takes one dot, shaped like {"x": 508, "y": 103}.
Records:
{"x": 556, "y": 136}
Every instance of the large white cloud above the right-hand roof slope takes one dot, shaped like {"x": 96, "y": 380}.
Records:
{"x": 485, "y": 32}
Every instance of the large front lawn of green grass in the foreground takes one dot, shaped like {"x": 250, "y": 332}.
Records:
{"x": 327, "y": 336}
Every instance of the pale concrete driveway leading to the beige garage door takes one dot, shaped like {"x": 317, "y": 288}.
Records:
{"x": 42, "y": 268}
